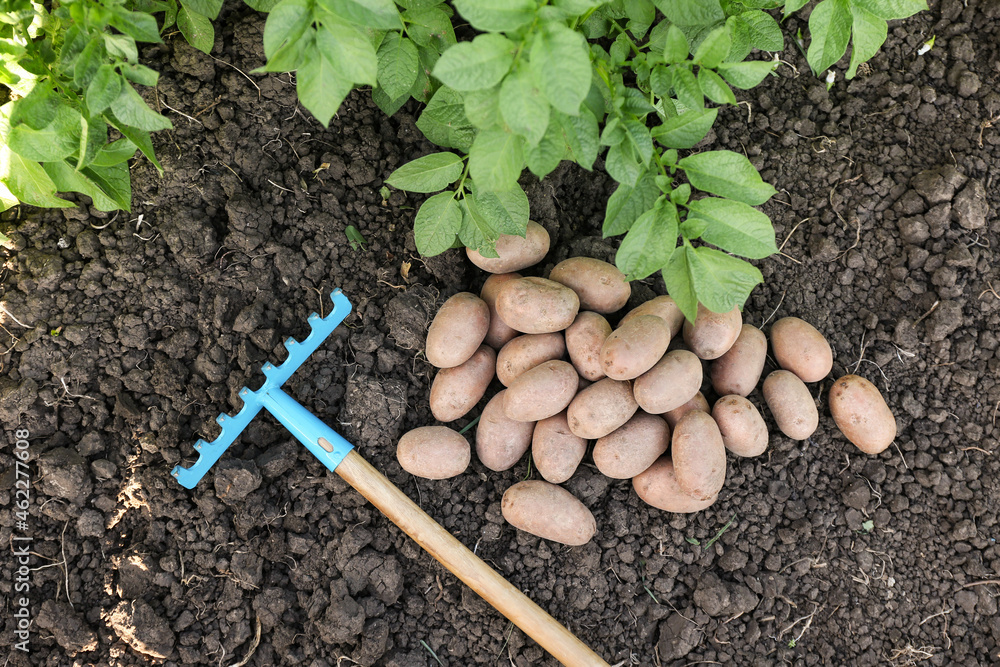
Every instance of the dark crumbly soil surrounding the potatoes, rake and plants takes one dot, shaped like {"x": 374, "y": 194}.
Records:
{"x": 143, "y": 327}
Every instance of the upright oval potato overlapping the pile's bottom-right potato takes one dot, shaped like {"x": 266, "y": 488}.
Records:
{"x": 699, "y": 455}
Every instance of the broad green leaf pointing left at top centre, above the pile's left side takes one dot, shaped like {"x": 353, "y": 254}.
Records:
{"x": 475, "y": 65}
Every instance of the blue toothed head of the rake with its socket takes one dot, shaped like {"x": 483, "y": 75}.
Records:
{"x": 313, "y": 433}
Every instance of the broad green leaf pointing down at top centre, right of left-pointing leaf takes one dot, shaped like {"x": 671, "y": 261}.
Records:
{"x": 561, "y": 64}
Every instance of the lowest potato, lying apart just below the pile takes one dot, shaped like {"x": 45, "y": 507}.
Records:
{"x": 548, "y": 511}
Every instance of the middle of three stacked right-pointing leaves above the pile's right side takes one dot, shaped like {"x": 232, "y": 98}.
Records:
{"x": 735, "y": 227}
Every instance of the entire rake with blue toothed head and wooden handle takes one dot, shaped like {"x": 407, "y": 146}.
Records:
{"x": 339, "y": 456}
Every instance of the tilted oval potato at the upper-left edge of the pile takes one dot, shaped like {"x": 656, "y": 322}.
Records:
{"x": 457, "y": 330}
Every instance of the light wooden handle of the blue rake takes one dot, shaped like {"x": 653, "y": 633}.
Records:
{"x": 465, "y": 565}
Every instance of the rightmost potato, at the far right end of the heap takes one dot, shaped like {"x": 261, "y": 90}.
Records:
{"x": 861, "y": 414}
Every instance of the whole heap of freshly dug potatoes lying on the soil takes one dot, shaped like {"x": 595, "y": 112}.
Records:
{"x": 632, "y": 389}
